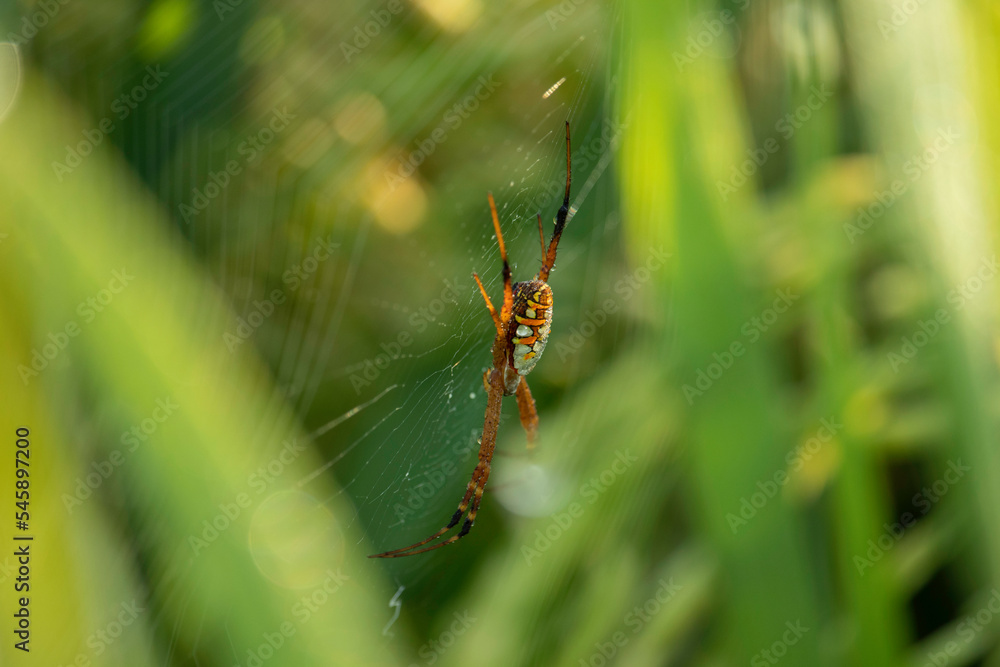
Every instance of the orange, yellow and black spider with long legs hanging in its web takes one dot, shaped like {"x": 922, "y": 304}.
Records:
{"x": 523, "y": 325}
